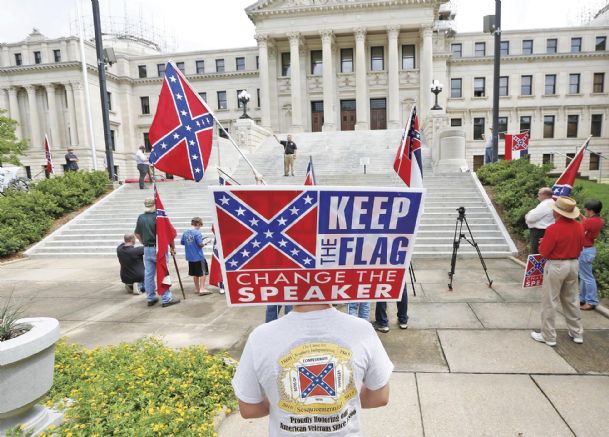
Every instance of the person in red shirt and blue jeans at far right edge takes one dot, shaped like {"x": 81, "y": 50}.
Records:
{"x": 588, "y": 297}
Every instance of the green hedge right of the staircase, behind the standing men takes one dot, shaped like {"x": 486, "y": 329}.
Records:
{"x": 514, "y": 185}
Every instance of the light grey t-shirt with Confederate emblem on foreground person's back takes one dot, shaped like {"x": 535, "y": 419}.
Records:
{"x": 311, "y": 366}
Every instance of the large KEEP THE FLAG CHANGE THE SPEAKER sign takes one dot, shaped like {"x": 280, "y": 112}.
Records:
{"x": 287, "y": 245}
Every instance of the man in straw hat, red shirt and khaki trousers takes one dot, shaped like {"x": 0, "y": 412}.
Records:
{"x": 561, "y": 245}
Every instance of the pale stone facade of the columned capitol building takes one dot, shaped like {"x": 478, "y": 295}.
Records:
{"x": 327, "y": 65}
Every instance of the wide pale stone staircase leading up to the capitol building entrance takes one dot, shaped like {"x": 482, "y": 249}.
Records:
{"x": 337, "y": 158}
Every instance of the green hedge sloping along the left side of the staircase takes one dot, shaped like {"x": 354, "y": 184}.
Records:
{"x": 25, "y": 217}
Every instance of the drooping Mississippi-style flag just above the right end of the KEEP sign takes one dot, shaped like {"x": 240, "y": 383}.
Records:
{"x": 408, "y": 163}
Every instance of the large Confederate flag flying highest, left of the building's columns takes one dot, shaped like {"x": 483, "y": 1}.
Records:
{"x": 182, "y": 129}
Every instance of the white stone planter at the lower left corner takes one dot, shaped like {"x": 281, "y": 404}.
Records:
{"x": 26, "y": 375}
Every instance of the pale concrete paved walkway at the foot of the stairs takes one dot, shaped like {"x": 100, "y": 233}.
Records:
{"x": 466, "y": 365}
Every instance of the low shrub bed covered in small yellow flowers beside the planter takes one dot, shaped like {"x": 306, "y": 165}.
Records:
{"x": 141, "y": 389}
